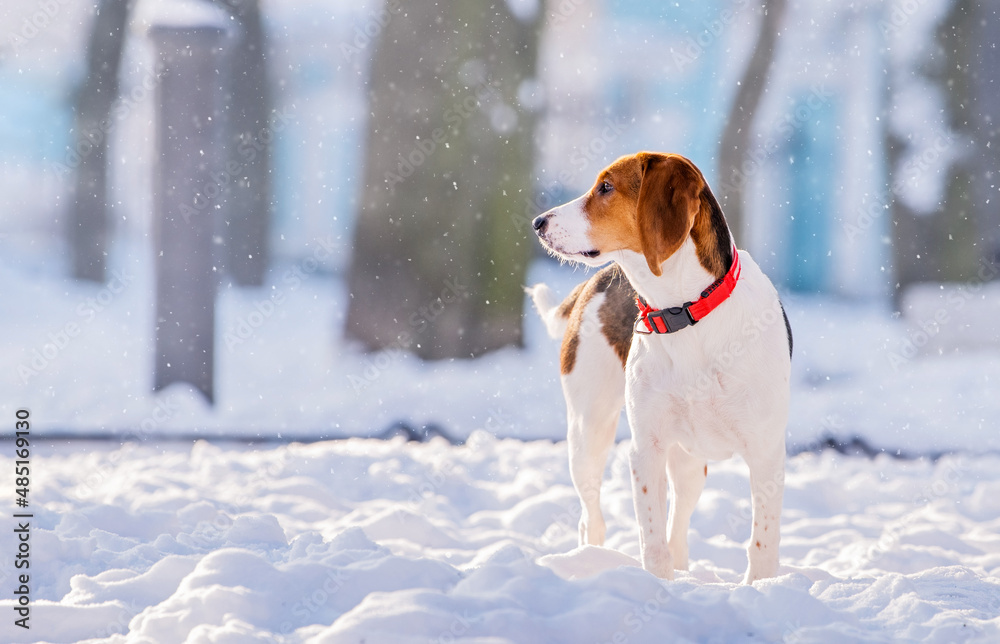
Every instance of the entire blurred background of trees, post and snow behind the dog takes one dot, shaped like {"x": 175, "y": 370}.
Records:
{"x": 309, "y": 218}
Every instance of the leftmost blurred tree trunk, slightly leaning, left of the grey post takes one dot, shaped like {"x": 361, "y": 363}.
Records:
{"x": 88, "y": 218}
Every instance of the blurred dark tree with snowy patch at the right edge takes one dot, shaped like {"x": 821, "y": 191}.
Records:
{"x": 952, "y": 242}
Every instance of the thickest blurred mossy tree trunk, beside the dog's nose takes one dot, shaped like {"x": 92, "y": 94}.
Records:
{"x": 439, "y": 261}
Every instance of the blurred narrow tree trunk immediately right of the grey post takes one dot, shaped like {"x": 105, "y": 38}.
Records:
{"x": 247, "y": 204}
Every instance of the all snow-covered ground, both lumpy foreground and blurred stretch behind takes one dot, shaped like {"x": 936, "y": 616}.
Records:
{"x": 365, "y": 540}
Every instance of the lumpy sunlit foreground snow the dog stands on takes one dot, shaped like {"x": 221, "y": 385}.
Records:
{"x": 385, "y": 541}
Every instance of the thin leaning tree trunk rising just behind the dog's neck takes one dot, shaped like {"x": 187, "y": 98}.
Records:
{"x": 735, "y": 143}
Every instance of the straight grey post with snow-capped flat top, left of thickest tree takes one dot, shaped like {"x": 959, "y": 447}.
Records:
{"x": 190, "y": 152}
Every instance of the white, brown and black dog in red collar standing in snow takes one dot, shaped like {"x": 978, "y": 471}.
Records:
{"x": 702, "y": 378}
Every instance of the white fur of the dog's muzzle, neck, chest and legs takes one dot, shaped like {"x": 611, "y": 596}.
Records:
{"x": 707, "y": 392}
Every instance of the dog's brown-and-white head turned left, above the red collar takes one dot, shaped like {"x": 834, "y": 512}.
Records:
{"x": 648, "y": 203}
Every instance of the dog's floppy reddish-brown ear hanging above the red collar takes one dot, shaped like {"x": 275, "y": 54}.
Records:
{"x": 668, "y": 203}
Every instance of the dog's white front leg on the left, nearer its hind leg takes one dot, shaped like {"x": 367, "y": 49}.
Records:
{"x": 648, "y": 463}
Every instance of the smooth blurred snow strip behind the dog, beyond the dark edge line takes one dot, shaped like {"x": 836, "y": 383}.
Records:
{"x": 284, "y": 370}
